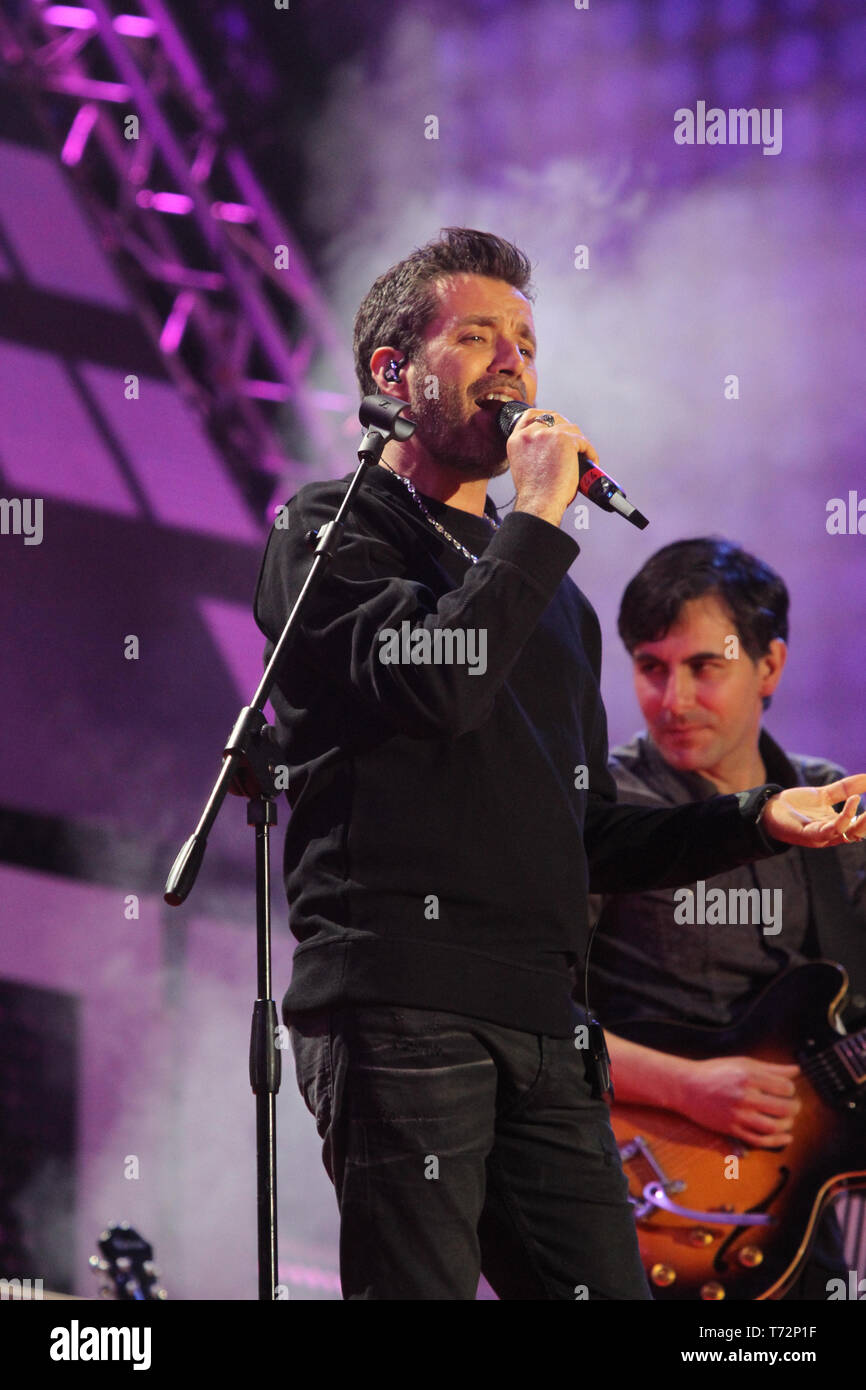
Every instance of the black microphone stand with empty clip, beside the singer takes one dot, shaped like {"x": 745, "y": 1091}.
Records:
{"x": 250, "y": 761}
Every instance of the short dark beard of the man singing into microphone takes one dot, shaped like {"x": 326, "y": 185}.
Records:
{"x": 475, "y": 447}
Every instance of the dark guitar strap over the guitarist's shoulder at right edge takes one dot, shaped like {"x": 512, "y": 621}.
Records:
{"x": 840, "y": 936}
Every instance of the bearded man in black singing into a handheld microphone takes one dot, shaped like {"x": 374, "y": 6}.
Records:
{"x": 450, "y": 818}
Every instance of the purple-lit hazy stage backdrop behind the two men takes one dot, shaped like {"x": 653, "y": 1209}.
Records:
{"x": 551, "y": 126}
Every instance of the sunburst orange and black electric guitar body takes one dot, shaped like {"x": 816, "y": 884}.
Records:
{"x": 687, "y": 1257}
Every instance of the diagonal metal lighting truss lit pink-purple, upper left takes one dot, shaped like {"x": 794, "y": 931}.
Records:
{"x": 219, "y": 280}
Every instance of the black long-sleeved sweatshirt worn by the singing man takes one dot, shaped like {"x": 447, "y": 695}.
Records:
{"x": 448, "y": 822}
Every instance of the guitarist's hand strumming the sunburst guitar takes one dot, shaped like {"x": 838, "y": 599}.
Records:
{"x": 754, "y": 1102}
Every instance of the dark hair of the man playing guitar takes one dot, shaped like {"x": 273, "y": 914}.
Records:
{"x": 754, "y": 594}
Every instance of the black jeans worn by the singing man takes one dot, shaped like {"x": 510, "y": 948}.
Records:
{"x": 458, "y": 1146}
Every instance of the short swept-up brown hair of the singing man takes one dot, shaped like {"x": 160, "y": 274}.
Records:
{"x": 398, "y": 308}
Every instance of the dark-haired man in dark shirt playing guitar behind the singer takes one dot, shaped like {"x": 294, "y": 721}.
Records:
{"x": 707, "y": 628}
